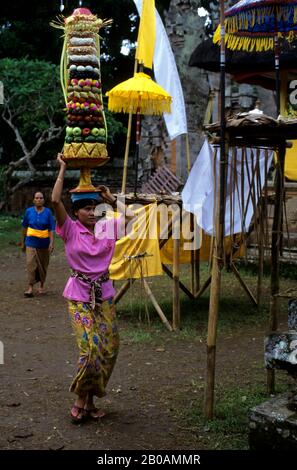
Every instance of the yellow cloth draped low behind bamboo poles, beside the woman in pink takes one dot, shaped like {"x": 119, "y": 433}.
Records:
{"x": 138, "y": 254}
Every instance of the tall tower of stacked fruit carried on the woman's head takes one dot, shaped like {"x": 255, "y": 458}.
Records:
{"x": 86, "y": 132}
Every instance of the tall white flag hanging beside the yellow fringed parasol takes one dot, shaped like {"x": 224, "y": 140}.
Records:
{"x": 167, "y": 77}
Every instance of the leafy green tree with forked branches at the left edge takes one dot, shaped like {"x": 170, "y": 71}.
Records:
{"x": 32, "y": 110}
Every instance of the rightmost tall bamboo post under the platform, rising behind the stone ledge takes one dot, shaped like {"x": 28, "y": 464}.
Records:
{"x": 275, "y": 248}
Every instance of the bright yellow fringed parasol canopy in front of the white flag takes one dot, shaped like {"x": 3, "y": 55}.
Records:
{"x": 139, "y": 94}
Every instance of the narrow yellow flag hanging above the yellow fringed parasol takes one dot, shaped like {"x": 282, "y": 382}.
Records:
{"x": 146, "y": 34}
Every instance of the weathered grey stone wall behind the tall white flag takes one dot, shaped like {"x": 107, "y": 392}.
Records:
{"x": 184, "y": 27}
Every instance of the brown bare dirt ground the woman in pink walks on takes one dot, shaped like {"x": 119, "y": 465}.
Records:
{"x": 147, "y": 390}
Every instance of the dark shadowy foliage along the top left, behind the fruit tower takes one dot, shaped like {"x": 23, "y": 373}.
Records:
{"x": 25, "y": 31}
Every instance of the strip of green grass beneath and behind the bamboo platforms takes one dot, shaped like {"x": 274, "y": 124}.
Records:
{"x": 235, "y": 311}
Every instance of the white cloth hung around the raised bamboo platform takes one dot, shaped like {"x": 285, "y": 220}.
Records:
{"x": 199, "y": 192}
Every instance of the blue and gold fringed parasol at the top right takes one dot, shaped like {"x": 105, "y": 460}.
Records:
{"x": 257, "y": 25}
